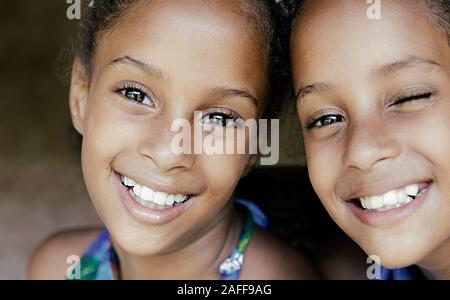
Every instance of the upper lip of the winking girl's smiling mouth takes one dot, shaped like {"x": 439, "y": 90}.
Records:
{"x": 381, "y": 188}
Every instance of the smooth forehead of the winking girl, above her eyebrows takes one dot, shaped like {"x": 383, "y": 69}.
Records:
{"x": 333, "y": 36}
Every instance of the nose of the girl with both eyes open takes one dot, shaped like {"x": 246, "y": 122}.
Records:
{"x": 158, "y": 147}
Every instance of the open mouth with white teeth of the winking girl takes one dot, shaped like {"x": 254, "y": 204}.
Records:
{"x": 392, "y": 199}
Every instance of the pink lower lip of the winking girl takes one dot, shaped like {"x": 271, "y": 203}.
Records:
{"x": 389, "y": 217}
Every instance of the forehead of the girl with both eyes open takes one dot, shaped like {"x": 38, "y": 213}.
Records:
{"x": 205, "y": 40}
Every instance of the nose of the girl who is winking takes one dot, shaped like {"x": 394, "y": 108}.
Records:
{"x": 370, "y": 144}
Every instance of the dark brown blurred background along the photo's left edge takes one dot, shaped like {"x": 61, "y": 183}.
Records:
{"x": 41, "y": 190}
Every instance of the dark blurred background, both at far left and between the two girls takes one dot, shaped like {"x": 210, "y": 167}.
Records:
{"x": 41, "y": 188}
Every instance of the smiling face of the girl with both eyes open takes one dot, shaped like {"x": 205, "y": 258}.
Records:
{"x": 162, "y": 62}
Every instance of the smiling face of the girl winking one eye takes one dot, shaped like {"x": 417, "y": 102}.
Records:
{"x": 374, "y": 102}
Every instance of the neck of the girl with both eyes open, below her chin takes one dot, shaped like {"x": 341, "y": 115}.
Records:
{"x": 198, "y": 260}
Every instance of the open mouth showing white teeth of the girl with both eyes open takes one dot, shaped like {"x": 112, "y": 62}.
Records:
{"x": 150, "y": 198}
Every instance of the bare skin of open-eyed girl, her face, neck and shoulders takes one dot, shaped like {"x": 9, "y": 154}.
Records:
{"x": 175, "y": 70}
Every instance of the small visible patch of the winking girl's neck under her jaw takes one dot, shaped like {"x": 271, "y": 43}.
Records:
{"x": 437, "y": 264}
